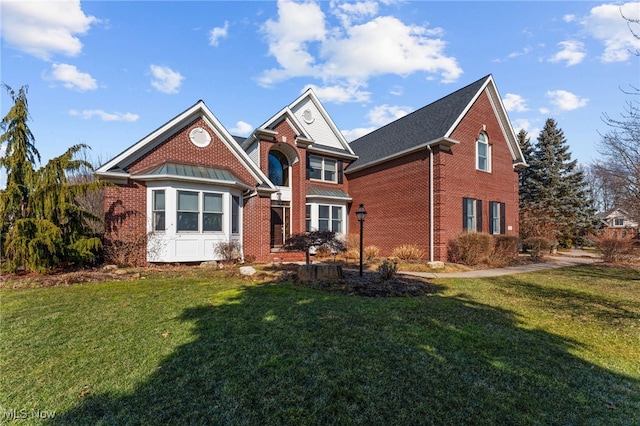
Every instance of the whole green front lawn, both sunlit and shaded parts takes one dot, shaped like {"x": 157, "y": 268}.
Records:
{"x": 556, "y": 347}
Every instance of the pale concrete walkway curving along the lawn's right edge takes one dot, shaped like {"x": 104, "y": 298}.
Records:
{"x": 571, "y": 258}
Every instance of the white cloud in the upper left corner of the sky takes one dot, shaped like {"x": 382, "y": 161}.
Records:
{"x": 44, "y": 28}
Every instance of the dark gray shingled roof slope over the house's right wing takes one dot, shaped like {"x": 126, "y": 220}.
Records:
{"x": 424, "y": 125}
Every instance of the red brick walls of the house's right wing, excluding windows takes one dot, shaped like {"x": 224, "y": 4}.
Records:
{"x": 396, "y": 193}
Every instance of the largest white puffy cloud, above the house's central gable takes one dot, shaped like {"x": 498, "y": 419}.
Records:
{"x": 304, "y": 45}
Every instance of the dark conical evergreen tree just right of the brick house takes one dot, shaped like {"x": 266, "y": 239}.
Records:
{"x": 554, "y": 196}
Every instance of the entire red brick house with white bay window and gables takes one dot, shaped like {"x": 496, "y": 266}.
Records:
{"x": 190, "y": 184}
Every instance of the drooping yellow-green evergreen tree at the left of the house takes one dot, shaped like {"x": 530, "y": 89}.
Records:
{"x": 40, "y": 222}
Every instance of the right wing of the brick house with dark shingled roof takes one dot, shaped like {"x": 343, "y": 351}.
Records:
{"x": 446, "y": 168}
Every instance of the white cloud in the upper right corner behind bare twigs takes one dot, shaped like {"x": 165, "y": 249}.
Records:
{"x": 605, "y": 23}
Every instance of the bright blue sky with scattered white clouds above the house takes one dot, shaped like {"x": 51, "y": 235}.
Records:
{"x": 107, "y": 73}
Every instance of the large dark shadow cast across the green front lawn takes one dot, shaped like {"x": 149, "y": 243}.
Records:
{"x": 274, "y": 354}
